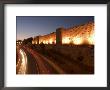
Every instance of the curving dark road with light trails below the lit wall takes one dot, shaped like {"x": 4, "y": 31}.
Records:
{"x": 31, "y": 62}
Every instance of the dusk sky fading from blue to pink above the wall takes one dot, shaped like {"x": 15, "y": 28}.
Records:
{"x": 30, "y": 26}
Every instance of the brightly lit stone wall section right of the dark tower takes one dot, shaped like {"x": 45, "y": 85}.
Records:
{"x": 82, "y": 34}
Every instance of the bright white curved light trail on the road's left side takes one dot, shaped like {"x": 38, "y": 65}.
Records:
{"x": 23, "y": 66}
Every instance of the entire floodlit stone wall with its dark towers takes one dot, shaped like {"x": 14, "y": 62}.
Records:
{"x": 81, "y": 34}
